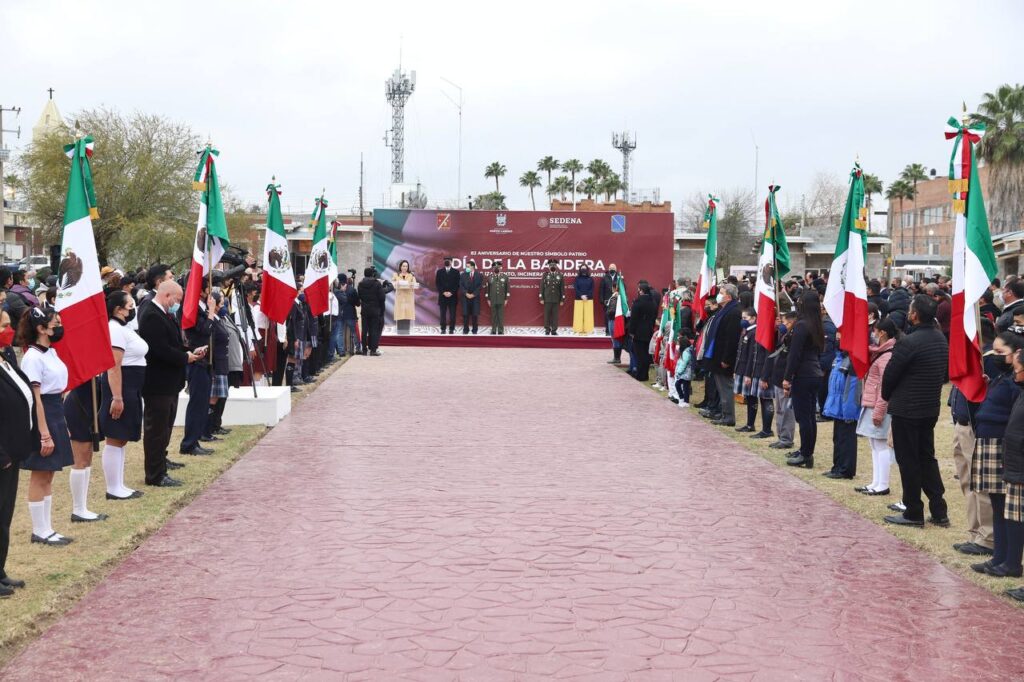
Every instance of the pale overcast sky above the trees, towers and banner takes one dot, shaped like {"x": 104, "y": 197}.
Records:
{"x": 297, "y": 89}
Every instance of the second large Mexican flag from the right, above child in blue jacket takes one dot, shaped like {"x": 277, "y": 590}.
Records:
{"x": 846, "y": 296}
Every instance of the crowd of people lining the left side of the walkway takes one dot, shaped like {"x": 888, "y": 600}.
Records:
{"x": 46, "y": 428}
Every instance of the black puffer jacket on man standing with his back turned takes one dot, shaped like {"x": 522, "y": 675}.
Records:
{"x": 919, "y": 367}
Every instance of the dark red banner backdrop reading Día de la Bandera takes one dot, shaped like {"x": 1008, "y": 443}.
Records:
{"x": 639, "y": 244}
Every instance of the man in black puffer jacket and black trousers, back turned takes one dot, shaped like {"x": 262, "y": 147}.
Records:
{"x": 913, "y": 386}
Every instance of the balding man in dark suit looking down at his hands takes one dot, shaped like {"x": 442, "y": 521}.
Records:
{"x": 165, "y": 376}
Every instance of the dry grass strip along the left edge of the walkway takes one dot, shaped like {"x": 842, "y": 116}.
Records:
{"x": 59, "y": 577}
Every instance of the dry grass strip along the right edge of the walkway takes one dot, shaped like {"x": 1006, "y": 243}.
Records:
{"x": 933, "y": 540}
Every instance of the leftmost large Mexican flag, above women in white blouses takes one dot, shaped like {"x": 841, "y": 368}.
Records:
{"x": 87, "y": 345}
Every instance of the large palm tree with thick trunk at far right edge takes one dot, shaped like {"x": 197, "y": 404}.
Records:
{"x": 1003, "y": 150}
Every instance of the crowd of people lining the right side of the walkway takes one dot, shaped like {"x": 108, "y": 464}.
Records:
{"x": 807, "y": 379}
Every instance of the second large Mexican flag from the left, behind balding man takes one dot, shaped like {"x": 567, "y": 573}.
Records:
{"x": 211, "y": 234}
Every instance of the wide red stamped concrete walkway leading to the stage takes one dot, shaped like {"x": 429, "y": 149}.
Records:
{"x": 444, "y": 515}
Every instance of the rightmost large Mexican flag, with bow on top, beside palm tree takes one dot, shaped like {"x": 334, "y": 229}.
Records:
{"x": 974, "y": 262}
